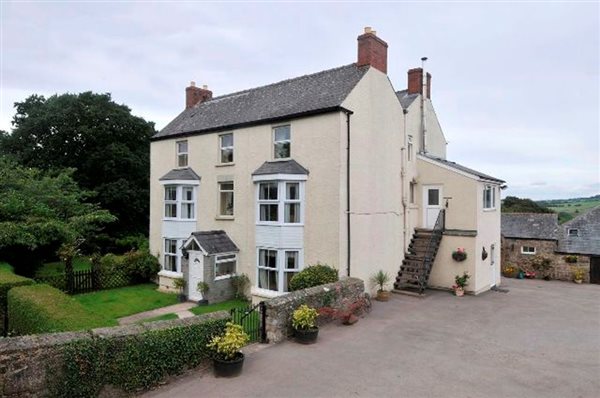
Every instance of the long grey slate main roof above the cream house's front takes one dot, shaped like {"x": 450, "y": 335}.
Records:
{"x": 307, "y": 94}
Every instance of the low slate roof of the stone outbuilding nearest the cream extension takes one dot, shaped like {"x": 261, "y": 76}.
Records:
{"x": 530, "y": 225}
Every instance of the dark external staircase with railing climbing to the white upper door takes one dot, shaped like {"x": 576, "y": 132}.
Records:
{"x": 416, "y": 266}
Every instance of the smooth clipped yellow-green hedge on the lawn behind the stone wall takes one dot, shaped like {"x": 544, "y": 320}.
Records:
{"x": 45, "y": 309}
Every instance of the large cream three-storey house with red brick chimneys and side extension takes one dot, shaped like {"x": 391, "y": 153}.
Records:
{"x": 335, "y": 167}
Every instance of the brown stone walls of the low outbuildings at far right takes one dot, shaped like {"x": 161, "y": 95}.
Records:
{"x": 561, "y": 270}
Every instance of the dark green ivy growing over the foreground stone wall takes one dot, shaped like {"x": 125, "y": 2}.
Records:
{"x": 135, "y": 362}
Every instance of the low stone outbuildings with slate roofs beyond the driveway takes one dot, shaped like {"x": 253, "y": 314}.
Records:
{"x": 575, "y": 243}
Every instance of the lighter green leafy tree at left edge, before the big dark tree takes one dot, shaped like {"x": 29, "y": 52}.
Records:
{"x": 39, "y": 211}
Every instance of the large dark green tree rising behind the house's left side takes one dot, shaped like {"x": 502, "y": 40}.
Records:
{"x": 108, "y": 147}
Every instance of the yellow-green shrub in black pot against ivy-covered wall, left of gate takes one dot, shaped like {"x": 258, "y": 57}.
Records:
{"x": 227, "y": 357}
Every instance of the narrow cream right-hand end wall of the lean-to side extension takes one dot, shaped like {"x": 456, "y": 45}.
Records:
{"x": 488, "y": 233}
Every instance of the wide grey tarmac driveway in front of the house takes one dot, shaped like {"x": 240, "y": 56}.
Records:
{"x": 541, "y": 339}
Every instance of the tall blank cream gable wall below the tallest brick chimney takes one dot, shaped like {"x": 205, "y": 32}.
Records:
{"x": 376, "y": 185}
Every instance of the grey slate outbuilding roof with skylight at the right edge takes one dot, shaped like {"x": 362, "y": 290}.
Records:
{"x": 588, "y": 241}
